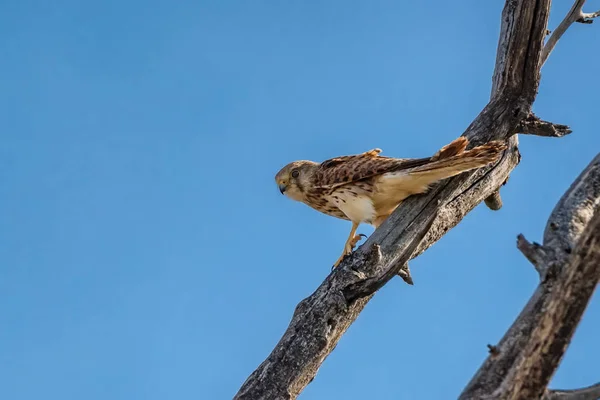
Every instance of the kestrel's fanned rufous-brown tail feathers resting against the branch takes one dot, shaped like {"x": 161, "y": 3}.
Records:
{"x": 453, "y": 159}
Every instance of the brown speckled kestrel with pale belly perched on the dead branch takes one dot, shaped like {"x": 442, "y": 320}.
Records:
{"x": 367, "y": 187}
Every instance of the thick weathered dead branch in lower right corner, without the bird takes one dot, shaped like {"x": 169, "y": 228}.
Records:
{"x": 569, "y": 266}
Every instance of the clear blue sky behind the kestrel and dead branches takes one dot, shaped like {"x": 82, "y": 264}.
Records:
{"x": 145, "y": 251}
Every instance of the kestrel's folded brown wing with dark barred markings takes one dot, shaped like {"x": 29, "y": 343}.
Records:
{"x": 346, "y": 169}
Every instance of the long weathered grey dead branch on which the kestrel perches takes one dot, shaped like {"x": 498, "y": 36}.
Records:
{"x": 322, "y": 318}
